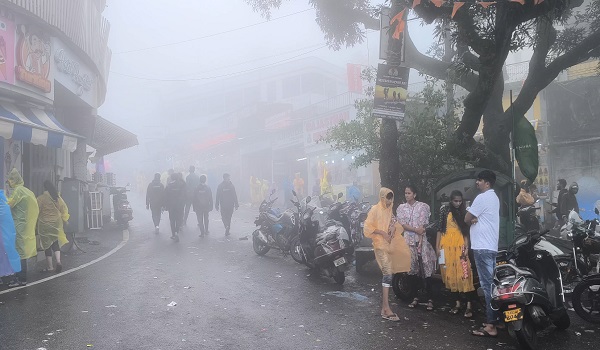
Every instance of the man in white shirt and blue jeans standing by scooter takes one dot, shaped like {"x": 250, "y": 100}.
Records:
{"x": 483, "y": 217}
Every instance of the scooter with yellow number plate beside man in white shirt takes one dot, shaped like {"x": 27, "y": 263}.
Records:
{"x": 528, "y": 291}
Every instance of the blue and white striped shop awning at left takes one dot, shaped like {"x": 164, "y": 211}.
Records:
{"x": 35, "y": 126}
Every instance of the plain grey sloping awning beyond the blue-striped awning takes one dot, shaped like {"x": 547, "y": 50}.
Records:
{"x": 108, "y": 137}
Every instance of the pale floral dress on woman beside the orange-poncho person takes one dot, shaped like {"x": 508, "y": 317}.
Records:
{"x": 417, "y": 215}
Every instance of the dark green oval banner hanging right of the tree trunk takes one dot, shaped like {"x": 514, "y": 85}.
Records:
{"x": 526, "y": 149}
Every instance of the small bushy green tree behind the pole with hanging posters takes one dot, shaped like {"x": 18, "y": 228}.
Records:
{"x": 421, "y": 141}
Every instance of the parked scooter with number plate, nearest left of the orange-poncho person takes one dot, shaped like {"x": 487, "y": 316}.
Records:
{"x": 323, "y": 243}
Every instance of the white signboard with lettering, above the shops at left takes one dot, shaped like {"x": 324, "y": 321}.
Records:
{"x": 74, "y": 75}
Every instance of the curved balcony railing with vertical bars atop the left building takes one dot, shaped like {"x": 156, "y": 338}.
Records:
{"x": 81, "y": 21}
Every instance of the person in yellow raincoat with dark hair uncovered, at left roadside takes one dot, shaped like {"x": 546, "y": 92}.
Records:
{"x": 53, "y": 213}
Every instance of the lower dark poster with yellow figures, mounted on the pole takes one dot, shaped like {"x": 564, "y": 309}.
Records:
{"x": 391, "y": 91}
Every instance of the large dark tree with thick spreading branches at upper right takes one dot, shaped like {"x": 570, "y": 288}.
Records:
{"x": 561, "y": 33}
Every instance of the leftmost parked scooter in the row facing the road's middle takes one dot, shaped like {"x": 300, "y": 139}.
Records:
{"x": 275, "y": 231}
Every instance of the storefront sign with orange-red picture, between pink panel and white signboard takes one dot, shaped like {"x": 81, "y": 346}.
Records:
{"x": 33, "y": 58}
